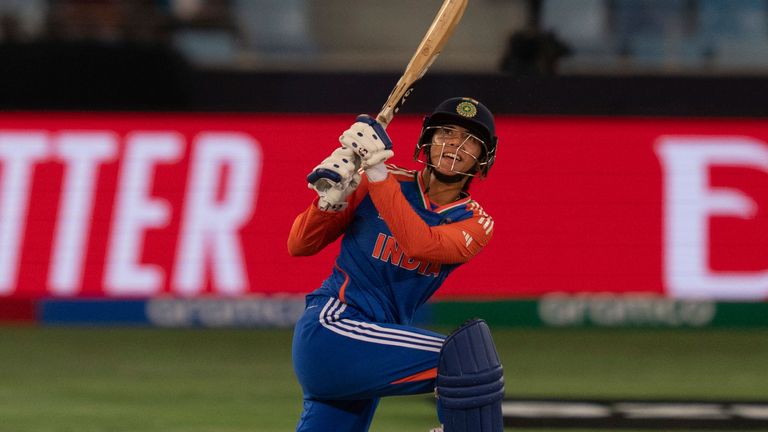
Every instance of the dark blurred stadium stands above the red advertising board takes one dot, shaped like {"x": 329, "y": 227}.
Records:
{"x": 550, "y": 56}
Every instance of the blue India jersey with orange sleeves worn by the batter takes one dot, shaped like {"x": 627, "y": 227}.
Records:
{"x": 398, "y": 247}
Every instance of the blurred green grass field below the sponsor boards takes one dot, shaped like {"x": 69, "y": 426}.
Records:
{"x": 152, "y": 380}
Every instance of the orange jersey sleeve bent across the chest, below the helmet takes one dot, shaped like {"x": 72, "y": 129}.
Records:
{"x": 450, "y": 243}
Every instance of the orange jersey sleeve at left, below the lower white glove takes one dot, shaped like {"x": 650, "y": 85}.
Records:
{"x": 314, "y": 229}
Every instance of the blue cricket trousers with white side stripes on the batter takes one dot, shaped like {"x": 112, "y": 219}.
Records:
{"x": 345, "y": 363}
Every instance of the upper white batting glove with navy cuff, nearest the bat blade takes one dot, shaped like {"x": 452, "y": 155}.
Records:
{"x": 368, "y": 139}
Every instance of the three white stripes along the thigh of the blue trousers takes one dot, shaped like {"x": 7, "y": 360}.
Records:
{"x": 329, "y": 318}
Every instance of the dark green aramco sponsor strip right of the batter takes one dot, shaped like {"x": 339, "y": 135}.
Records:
{"x": 610, "y": 311}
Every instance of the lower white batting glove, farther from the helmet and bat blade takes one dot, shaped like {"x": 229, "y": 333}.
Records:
{"x": 335, "y": 178}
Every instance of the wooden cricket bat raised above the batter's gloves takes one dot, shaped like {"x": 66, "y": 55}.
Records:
{"x": 431, "y": 45}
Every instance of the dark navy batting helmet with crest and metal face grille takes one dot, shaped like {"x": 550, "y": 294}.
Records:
{"x": 470, "y": 115}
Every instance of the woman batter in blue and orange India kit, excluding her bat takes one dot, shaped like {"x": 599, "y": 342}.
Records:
{"x": 403, "y": 233}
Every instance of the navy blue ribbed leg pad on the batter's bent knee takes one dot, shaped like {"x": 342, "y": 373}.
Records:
{"x": 470, "y": 381}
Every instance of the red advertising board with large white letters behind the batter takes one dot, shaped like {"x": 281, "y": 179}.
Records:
{"x": 127, "y": 205}
